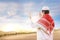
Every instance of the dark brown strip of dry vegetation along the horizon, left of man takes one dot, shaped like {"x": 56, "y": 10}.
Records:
{"x": 13, "y": 33}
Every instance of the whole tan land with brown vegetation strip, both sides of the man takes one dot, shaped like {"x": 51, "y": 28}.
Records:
{"x": 26, "y": 36}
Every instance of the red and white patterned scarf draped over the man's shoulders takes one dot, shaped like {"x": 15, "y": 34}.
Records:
{"x": 47, "y": 22}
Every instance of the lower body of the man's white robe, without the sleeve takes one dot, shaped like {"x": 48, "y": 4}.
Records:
{"x": 42, "y": 36}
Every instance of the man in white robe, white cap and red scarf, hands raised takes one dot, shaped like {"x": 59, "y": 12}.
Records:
{"x": 45, "y": 25}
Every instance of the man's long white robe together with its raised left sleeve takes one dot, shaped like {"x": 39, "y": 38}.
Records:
{"x": 41, "y": 35}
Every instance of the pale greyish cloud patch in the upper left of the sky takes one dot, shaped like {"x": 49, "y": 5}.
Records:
{"x": 12, "y": 9}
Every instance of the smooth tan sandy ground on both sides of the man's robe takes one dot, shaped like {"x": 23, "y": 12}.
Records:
{"x": 28, "y": 36}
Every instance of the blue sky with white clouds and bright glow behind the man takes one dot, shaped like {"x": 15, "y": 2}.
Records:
{"x": 14, "y": 14}
